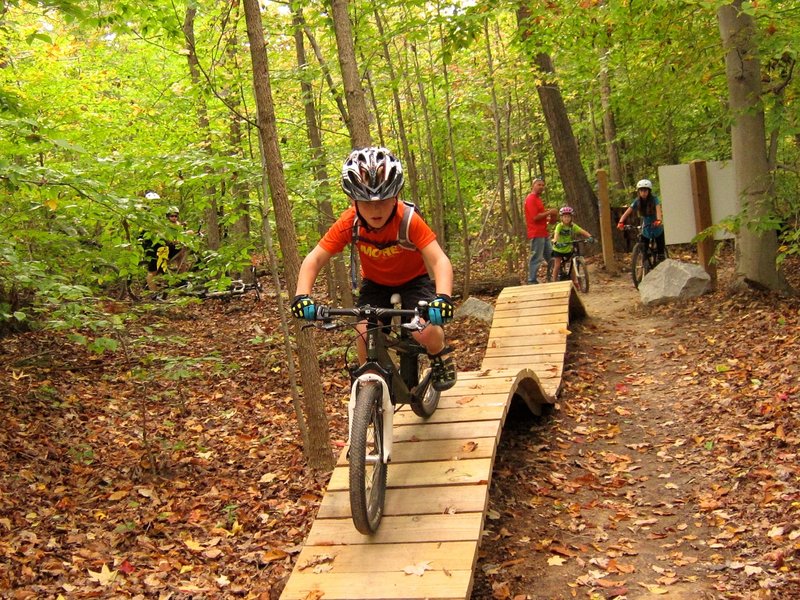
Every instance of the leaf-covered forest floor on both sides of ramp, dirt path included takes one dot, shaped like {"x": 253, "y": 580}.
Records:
{"x": 174, "y": 469}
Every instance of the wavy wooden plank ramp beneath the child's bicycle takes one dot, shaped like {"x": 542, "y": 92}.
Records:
{"x": 438, "y": 484}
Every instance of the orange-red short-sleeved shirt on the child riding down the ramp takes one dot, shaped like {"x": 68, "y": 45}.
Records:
{"x": 381, "y": 261}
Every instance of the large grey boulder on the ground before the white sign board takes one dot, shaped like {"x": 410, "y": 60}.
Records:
{"x": 673, "y": 280}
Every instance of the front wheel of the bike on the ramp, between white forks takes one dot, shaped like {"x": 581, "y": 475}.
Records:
{"x": 367, "y": 469}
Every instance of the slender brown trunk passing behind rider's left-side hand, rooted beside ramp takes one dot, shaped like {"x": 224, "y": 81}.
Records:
{"x": 318, "y": 450}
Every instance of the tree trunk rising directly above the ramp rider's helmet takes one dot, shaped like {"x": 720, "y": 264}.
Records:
{"x": 353, "y": 92}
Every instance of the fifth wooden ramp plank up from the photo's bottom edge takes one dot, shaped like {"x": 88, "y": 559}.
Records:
{"x": 438, "y": 472}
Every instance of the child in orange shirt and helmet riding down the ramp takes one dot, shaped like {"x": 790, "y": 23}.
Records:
{"x": 372, "y": 178}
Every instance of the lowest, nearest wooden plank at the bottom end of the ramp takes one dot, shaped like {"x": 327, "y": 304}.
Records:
{"x": 388, "y": 586}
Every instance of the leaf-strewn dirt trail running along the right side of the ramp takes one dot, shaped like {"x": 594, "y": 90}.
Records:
{"x": 600, "y": 499}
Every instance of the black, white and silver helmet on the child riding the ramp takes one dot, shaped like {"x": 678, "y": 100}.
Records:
{"x": 372, "y": 174}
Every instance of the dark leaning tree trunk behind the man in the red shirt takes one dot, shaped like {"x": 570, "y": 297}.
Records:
{"x": 577, "y": 189}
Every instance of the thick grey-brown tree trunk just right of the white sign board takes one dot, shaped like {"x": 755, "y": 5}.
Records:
{"x": 755, "y": 250}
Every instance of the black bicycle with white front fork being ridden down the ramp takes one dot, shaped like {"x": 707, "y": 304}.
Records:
{"x": 378, "y": 387}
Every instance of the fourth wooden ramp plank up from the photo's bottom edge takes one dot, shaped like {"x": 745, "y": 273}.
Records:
{"x": 414, "y": 501}
